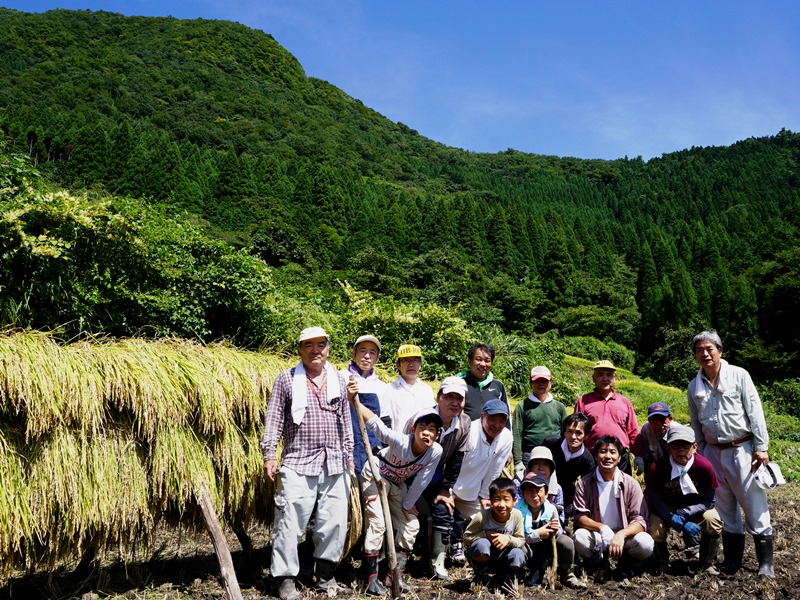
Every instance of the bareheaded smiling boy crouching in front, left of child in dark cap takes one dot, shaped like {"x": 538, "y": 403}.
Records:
{"x": 494, "y": 538}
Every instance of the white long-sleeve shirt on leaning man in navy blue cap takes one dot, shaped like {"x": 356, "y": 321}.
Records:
{"x": 483, "y": 463}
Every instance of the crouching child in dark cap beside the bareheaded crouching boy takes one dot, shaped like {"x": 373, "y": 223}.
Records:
{"x": 541, "y": 523}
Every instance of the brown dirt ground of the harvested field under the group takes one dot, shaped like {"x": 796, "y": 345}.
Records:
{"x": 185, "y": 567}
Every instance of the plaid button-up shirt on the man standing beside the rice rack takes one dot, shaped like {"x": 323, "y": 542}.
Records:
{"x": 325, "y": 436}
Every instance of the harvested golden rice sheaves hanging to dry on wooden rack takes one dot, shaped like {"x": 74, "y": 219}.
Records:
{"x": 101, "y": 439}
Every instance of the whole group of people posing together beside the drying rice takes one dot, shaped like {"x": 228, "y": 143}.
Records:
{"x": 522, "y": 496}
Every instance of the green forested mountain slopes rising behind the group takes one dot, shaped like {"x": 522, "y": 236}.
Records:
{"x": 218, "y": 120}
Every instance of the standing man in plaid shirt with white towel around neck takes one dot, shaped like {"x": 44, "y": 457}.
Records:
{"x": 308, "y": 409}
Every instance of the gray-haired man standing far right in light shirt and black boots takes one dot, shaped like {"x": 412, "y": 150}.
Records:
{"x": 728, "y": 421}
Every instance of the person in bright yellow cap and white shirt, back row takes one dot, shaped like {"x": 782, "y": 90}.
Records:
{"x": 408, "y": 394}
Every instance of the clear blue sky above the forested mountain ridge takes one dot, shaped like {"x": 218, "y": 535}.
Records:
{"x": 591, "y": 79}
